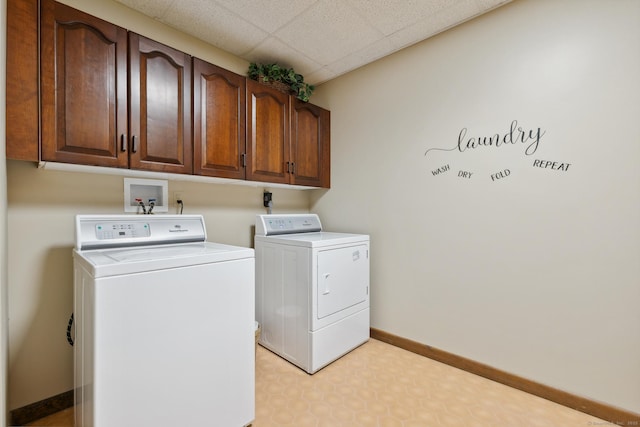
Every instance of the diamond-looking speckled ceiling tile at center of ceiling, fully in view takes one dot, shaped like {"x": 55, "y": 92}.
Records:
{"x": 328, "y": 31}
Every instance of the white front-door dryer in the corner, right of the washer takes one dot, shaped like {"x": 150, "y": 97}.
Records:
{"x": 312, "y": 289}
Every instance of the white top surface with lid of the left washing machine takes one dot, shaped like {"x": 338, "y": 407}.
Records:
{"x": 130, "y": 260}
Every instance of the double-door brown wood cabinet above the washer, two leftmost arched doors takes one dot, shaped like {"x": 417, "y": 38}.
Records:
{"x": 89, "y": 114}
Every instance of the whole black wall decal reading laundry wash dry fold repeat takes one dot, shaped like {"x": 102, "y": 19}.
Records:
{"x": 529, "y": 139}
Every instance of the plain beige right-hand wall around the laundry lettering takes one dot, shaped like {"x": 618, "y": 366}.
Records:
{"x": 536, "y": 273}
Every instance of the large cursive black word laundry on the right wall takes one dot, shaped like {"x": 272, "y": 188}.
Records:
{"x": 515, "y": 135}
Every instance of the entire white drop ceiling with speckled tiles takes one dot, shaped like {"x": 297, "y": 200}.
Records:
{"x": 321, "y": 39}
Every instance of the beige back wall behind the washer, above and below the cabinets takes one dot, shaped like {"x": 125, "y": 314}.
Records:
{"x": 41, "y": 209}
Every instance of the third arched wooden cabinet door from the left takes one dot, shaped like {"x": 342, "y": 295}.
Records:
{"x": 219, "y": 138}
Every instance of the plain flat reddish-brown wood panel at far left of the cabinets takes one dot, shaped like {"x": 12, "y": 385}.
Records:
{"x": 22, "y": 80}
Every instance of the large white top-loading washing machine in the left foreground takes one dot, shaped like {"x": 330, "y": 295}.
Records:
{"x": 165, "y": 331}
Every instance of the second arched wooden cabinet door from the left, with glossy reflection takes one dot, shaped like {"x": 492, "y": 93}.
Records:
{"x": 160, "y": 107}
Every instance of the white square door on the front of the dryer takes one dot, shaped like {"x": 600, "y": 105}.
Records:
{"x": 343, "y": 279}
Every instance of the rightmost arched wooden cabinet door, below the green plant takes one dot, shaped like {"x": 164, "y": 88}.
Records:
{"x": 310, "y": 144}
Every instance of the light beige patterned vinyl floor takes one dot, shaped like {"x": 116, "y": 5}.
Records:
{"x": 379, "y": 385}
